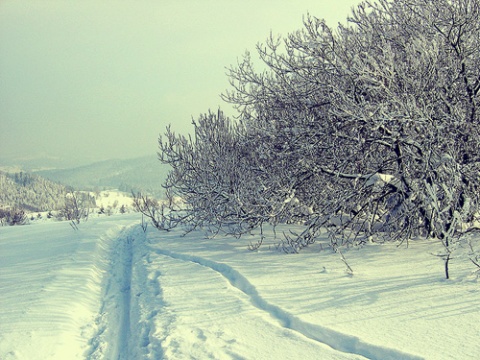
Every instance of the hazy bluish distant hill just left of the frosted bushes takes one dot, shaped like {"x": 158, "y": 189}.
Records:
{"x": 139, "y": 174}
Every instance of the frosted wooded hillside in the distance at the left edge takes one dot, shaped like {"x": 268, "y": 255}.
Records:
{"x": 30, "y": 192}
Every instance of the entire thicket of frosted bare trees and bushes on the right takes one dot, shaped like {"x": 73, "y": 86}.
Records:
{"x": 369, "y": 130}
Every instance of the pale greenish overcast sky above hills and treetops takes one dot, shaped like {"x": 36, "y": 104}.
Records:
{"x": 101, "y": 79}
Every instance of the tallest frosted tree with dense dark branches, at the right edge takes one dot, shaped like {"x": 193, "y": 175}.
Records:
{"x": 381, "y": 110}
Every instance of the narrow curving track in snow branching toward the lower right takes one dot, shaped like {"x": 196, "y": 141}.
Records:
{"x": 336, "y": 340}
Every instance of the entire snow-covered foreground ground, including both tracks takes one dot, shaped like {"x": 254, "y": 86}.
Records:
{"x": 110, "y": 291}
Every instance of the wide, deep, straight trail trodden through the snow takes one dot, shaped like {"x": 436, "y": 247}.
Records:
{"x": 126, "y": 326}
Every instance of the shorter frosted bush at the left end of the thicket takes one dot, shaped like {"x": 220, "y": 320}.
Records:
{"x": 205, "y": 171}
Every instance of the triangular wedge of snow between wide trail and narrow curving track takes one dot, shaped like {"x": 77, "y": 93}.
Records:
{"x": 204, "y": 317}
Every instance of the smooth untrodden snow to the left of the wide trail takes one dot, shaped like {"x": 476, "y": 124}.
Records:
{"x": 50, "y": 281}
